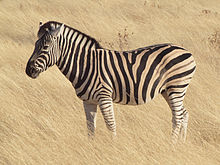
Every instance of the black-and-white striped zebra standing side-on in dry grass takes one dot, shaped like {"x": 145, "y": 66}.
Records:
{"x": 102, "y": 77}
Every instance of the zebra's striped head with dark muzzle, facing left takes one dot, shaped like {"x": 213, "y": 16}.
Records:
{"x": 46, "y": 52}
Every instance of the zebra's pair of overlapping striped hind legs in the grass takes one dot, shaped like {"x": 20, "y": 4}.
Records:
{"x": 174, "y": 98}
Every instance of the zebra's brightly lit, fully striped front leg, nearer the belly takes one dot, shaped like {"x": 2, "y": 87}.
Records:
{"x": 106, "y": 107}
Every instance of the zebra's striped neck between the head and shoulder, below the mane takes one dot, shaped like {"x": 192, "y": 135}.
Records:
{"x": 76, "y": 51}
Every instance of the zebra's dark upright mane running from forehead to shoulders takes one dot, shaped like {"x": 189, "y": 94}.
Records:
{"x": 49, "y": 25}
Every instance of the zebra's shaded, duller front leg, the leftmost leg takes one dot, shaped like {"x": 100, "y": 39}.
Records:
{"x": 90, "y": 110}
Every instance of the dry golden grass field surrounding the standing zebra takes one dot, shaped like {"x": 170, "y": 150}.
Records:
{"x": 43, "y": 122}
